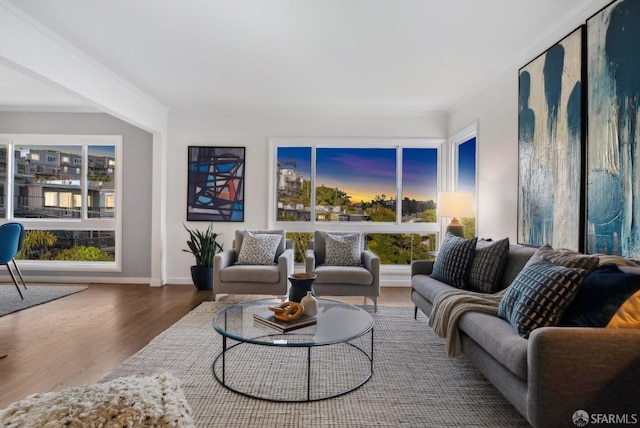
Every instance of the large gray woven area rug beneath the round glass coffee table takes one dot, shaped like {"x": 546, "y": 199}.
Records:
{"x": 414, "y": 383}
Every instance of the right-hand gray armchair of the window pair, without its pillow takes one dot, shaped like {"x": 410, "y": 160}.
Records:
{"x": 361, "y": 280}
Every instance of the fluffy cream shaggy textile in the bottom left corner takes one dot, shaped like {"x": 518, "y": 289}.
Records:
{"x": 156, "y": 401}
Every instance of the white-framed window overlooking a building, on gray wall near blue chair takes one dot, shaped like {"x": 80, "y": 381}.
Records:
{"x": 66, "y": 190}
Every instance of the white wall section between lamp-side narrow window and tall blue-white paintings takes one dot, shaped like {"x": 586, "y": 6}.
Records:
{"x": 495, "y": 108}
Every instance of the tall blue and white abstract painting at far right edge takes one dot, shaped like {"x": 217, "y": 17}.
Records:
{"x": 613, "y": 173}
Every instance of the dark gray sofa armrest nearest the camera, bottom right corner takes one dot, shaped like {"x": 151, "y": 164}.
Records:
{"x": 591, "y": 369}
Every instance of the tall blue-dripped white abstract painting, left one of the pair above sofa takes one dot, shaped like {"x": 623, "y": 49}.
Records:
{"x": 550, "y": 146}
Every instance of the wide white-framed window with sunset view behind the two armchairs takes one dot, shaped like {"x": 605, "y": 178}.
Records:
{"x": 386, "y": 188}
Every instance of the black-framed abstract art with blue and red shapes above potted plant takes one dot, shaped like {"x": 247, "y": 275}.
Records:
{"x": 215, "y": 190}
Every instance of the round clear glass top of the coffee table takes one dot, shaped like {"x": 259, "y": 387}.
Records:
{"x": 336, "y": 322}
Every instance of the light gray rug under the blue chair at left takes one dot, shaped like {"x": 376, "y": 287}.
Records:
{"x": 34, "y": 295}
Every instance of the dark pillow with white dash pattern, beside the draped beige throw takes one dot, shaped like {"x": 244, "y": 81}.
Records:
{"x": 539, "y": 295}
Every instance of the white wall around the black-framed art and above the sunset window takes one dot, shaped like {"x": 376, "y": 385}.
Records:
{"x": 252, "y": 130}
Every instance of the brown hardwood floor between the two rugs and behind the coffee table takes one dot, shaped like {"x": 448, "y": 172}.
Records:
{"x": 80, "y": 338}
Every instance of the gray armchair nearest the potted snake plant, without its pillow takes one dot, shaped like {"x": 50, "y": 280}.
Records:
{"x": 229, "y": 277}
